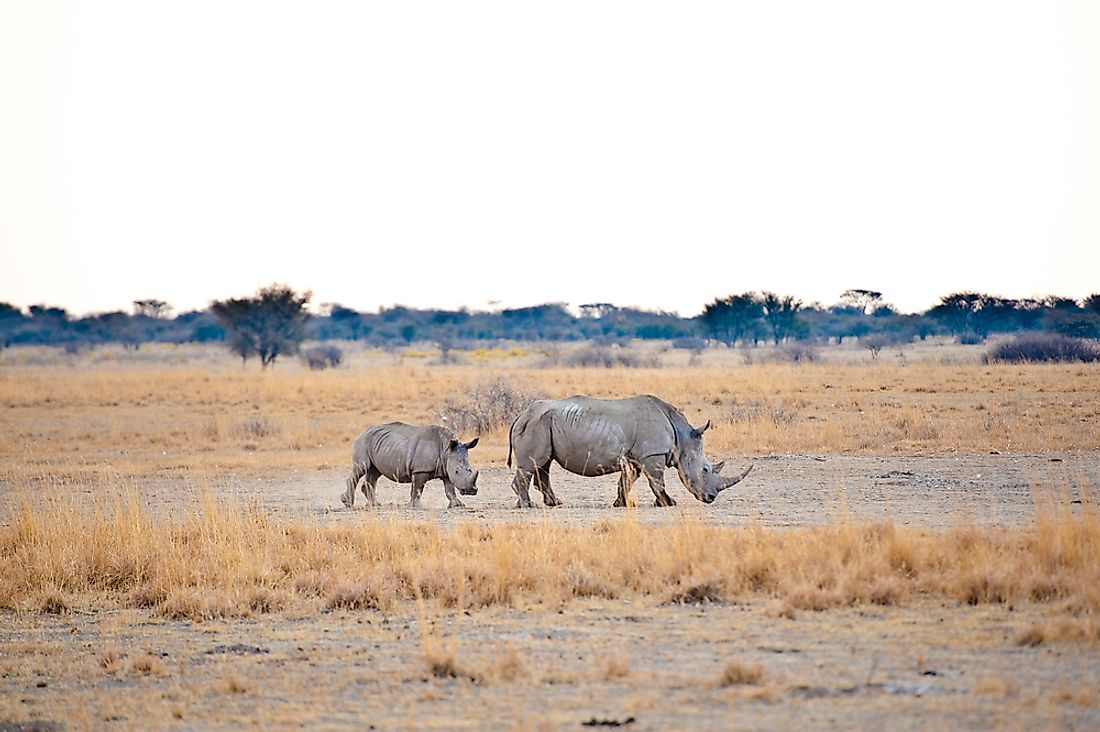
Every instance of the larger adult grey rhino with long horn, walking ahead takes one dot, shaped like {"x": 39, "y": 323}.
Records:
{"x": 640, "y": 435}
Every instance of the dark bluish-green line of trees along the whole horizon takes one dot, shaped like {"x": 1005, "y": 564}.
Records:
{"x": 276, "y": 321}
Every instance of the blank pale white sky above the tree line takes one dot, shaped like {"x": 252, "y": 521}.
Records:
{"x": 441, "y": 155}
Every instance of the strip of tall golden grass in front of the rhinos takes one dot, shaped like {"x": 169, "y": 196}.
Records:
{"x": 221, "y": 560}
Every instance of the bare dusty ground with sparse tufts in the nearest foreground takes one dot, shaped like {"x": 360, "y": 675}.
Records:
{"x": 650, "y": 668}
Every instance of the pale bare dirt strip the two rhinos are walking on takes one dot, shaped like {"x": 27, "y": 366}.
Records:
{"x": 784, "y": 490}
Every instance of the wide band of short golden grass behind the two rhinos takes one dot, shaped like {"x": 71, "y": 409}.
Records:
{"x": 140, "y": 421}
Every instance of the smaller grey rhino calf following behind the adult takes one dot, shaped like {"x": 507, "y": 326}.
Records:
{"x": 406, "y": 454}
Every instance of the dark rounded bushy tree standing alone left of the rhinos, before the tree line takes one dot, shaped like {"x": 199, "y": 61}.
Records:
{"x": 268, "y": 325}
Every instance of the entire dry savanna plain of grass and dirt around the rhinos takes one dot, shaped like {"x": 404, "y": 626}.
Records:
{"x": 918, "y": 547}
